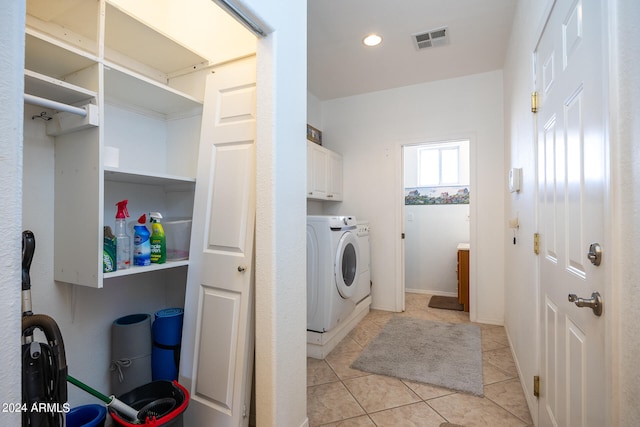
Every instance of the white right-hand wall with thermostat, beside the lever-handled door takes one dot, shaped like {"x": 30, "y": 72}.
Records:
{"x": 520, "y": 262}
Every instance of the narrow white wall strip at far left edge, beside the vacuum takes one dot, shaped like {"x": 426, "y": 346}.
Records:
{"x": 11, "y": 89}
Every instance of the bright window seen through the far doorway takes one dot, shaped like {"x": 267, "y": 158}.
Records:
{"x": 439, "y": 166}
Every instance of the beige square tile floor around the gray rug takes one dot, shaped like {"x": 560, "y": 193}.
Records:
{"x": 340, "y": 396}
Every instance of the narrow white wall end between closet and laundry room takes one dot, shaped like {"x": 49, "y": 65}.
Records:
{"x": 281, "y": 315}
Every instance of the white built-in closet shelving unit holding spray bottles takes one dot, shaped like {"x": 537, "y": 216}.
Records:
{"x": 93, "y": 53}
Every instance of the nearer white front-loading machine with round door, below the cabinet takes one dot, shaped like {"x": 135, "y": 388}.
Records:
{"x": 333, "y": 259}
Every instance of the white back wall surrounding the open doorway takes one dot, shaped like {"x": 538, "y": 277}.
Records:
{"x": 370, "y": 129}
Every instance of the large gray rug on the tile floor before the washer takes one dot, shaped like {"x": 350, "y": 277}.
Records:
{"x": 443, "y": 354}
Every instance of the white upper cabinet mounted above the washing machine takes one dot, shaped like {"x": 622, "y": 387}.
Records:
{"x": 324, "y": 173}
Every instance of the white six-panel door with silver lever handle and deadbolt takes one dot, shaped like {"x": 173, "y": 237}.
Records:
{"x": 572, "y": 202}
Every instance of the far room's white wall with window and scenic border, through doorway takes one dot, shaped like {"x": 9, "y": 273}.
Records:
{"x": 436, "y": 214}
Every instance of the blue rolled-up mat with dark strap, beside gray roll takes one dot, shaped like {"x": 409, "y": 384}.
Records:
{"x": 167, "y": 336}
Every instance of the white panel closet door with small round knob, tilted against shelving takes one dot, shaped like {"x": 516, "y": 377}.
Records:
{"x": 218, "y": 334}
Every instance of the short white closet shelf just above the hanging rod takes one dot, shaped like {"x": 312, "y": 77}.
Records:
{"x": 54, "y": 89}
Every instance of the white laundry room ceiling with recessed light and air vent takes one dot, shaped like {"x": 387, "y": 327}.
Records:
{"x": 340, "y": 65}
